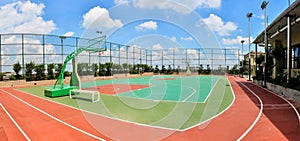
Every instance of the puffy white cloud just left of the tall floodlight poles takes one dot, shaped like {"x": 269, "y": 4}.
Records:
{"x": 218, "y": 25}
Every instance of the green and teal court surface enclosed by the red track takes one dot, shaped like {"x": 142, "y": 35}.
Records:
{"x": 172, "y": 102}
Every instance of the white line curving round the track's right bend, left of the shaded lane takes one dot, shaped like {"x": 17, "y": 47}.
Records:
{"x": 258, "y": 116}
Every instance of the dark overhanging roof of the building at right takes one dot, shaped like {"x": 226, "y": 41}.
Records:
{"x": 277, "y": 29}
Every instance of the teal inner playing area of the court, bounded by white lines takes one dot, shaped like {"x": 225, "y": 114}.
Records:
{"x": 180, "y": 89}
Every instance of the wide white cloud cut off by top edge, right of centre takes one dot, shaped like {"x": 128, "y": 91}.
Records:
{"x": 180, "y": 6}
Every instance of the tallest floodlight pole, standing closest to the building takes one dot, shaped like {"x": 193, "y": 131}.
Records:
{"x": 264, "y": 7}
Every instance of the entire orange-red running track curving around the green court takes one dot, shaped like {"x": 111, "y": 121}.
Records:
{"x": 230, "y": 125}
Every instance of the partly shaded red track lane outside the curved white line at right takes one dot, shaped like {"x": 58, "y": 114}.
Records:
{"x": 278, "y": 115}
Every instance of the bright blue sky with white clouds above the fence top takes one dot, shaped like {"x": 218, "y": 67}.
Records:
{"x": 145, "y": 23}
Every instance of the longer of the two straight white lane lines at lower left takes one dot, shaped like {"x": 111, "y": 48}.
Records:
{"x": 47, "y": 114}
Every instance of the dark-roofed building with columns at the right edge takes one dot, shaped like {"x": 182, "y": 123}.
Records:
{"x": 284, "y": 36}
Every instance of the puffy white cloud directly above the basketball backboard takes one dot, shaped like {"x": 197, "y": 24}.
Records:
{"x": 99, "y": 17}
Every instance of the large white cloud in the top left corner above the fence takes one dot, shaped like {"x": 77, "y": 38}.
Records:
{"x": 25, "y": 17}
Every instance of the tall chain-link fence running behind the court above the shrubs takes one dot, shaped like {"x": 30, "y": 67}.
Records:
{"x": 48, "y": 49}
